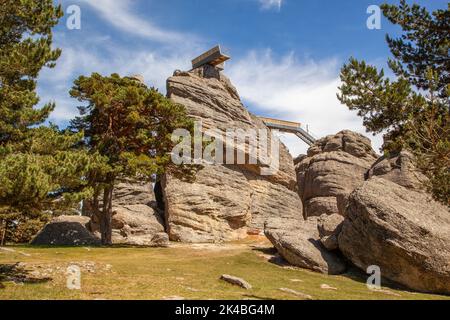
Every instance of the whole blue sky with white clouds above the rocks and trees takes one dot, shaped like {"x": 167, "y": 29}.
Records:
{"x": 286, "y": 54}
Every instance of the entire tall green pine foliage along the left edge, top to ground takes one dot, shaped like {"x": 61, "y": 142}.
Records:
{"x": 41, "y": 169}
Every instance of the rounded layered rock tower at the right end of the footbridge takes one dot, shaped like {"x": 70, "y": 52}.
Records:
{"x": 334, "y": 166}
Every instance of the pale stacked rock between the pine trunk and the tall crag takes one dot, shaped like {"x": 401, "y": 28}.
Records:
{"x": 136, "y": 220}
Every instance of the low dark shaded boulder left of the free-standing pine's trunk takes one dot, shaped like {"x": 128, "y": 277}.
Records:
{"x": 66, "y": 231}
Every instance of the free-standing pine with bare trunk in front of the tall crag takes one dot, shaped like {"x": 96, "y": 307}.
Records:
{"x": 131, "y": 126}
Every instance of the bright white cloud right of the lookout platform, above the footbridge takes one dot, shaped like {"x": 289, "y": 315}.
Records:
{"x": 303, "y": 91}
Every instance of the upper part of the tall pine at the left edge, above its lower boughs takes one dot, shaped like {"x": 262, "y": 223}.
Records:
{"x": 25, "y": 48}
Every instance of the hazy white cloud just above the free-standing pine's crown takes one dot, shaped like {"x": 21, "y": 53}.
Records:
{"x": 85, "y": 57}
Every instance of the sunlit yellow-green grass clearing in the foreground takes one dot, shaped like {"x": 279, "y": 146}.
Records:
{"x": 188, "y": 271}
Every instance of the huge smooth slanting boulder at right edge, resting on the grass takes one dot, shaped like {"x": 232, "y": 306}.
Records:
{"x": 402, "y": 231}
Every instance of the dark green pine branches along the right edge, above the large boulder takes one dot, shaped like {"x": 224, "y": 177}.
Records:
{"x": 413, "y": 110}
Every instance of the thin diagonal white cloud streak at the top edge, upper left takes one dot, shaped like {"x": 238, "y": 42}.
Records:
{"x": 121, "y": 16}
